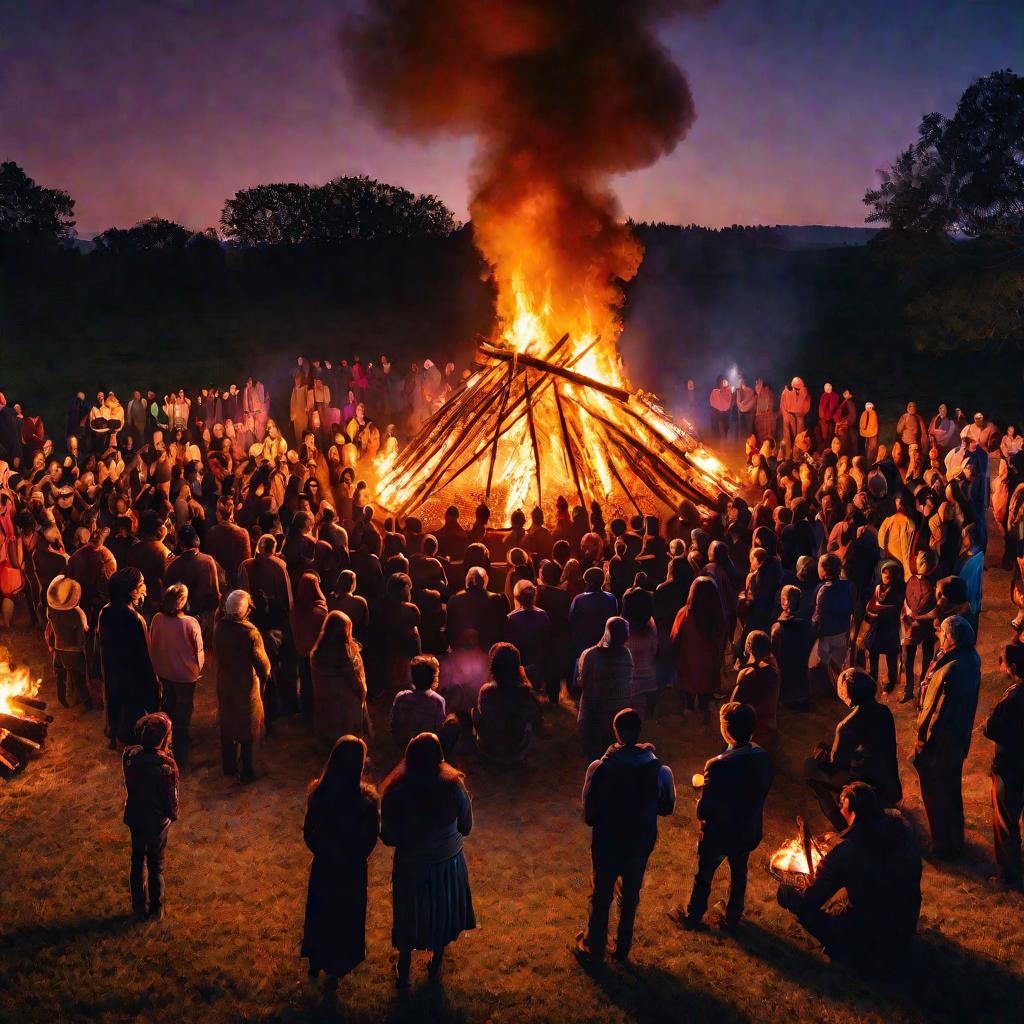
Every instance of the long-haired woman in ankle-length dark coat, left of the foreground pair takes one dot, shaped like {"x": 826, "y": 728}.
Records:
{"x": 342, "y": 828}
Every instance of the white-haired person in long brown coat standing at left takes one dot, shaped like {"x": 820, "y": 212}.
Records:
{"x": 243, "y": 671}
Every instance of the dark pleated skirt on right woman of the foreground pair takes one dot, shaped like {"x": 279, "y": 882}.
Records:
{"x": 432, "y": 903}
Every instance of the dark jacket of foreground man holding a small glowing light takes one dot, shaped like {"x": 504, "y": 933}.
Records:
{"x": 733, "y": 802}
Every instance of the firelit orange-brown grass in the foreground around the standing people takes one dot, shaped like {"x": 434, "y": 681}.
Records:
{"x": 228, "y": 950}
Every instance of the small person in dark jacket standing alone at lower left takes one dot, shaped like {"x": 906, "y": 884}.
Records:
{"x": 151, "y": 805}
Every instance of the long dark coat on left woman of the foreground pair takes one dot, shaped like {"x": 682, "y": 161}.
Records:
{"x": 342, "y": 836}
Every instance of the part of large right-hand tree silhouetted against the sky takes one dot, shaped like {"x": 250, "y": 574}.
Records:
{"x": 965, "y": 174}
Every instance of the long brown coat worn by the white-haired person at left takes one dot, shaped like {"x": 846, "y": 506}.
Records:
{"x": 243, "y": 670}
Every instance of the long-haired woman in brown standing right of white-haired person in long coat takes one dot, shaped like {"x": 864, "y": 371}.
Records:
{"x": 339, "y": 680}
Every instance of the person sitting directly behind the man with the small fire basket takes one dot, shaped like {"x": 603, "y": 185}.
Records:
{"x": 864, "y": 750}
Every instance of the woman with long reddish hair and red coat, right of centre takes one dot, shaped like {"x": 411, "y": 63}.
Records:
{"x": 699, "y": 639}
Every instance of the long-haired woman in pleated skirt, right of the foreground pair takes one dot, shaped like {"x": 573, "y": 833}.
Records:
{"x": 425, "y": 814}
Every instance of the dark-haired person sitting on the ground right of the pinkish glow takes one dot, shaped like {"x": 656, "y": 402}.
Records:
{"x": 507, "y": 711}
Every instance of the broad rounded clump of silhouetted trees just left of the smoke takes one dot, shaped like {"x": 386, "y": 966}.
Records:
{"x": 345, "y": 209}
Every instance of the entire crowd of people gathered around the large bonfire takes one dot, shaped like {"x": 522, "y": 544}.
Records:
{"x": 851, "y": 570}
